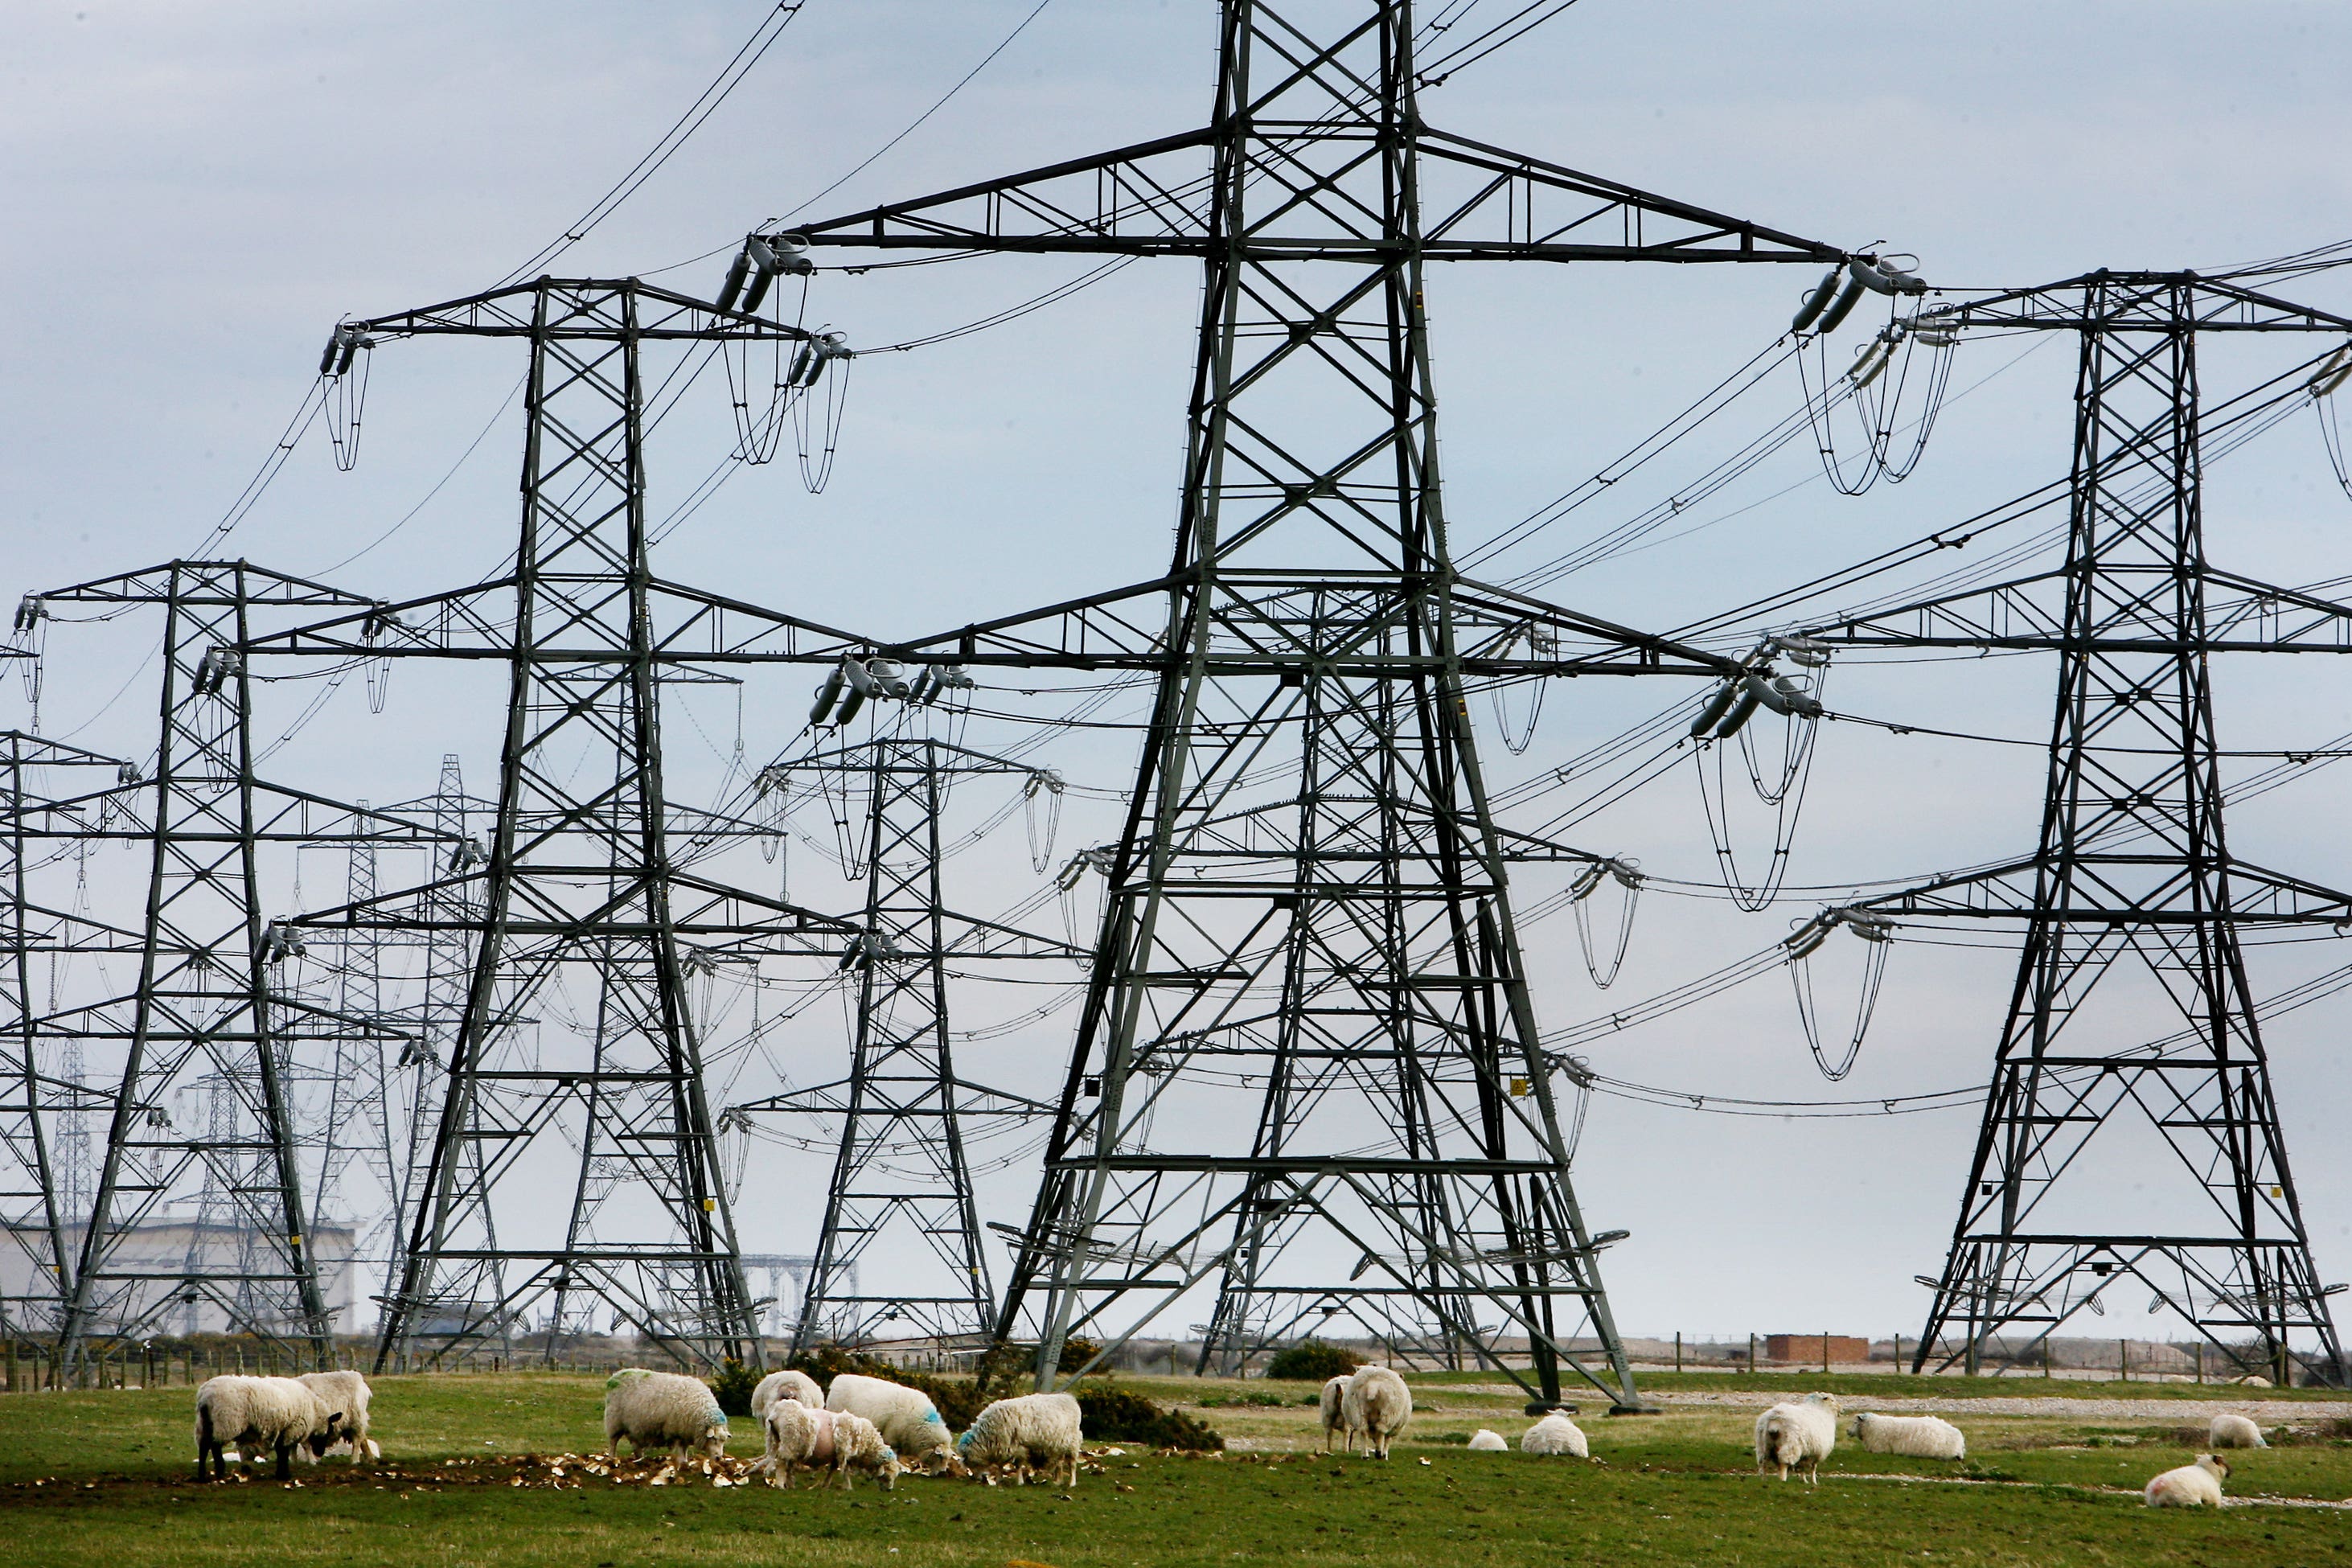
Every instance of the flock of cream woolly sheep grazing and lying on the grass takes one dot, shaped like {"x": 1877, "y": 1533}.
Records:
{"x": 869, "y": 1426}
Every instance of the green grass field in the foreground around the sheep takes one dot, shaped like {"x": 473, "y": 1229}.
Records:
{"x": 105, "y": 1477}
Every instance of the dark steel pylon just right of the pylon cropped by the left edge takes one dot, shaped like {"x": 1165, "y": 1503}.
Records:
{"x": 206, "y": 1005}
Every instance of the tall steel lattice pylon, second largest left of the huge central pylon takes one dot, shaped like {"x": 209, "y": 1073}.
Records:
{"x": 577, "y": 1059}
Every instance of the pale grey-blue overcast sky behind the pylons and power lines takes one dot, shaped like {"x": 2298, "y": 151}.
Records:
{"x": 196, "y": 194}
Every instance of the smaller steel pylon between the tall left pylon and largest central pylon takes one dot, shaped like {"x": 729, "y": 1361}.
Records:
{"x": 907, "y": 1205}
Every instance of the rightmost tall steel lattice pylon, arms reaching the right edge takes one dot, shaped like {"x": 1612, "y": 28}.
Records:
{"x": 2132, "y": 890}
